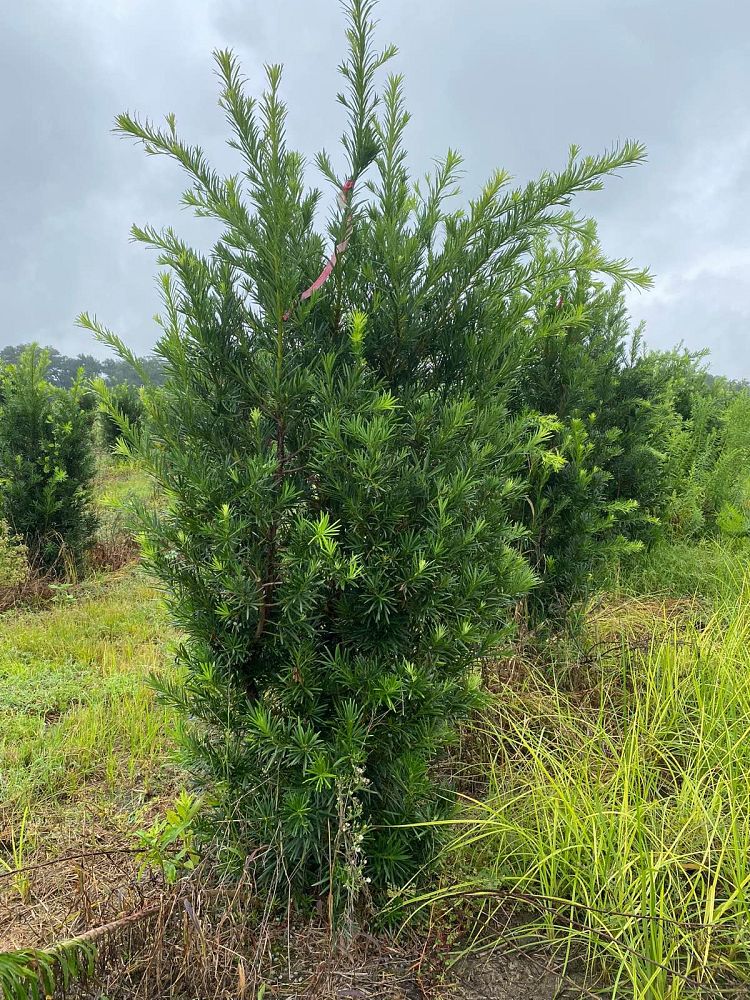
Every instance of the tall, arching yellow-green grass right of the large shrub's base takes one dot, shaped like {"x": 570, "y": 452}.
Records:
{"x": 620, "y": 820}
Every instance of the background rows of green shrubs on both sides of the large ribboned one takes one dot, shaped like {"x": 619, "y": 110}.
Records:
{"x": 636, "y": 445}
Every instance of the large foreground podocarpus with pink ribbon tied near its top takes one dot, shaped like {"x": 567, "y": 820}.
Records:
{"x": 338, "y": 467}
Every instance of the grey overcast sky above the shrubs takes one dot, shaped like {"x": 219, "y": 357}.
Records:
{"x": 510, "y": 83}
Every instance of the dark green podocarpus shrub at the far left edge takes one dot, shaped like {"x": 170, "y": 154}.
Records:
{"x": 46, "y": 463}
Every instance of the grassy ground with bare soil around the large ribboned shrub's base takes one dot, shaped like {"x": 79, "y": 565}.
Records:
{"x": 600, "y": 845}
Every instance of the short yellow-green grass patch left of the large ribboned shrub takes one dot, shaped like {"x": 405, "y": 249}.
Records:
{"x": 77, "y": 717}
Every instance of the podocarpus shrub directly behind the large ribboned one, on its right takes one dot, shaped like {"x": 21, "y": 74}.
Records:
{"x": 579, "y": 522}
